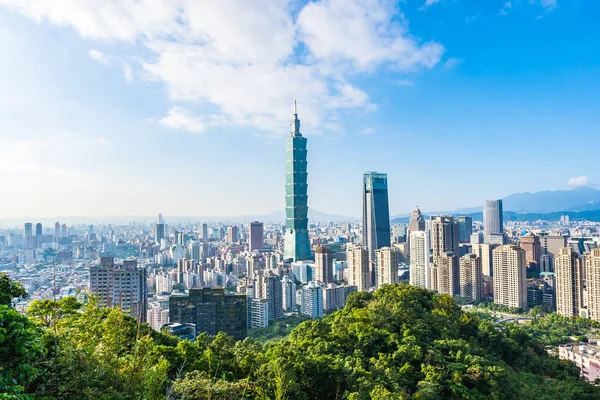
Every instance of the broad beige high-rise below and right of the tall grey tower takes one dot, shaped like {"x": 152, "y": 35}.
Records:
{"x": 510, "y": 276}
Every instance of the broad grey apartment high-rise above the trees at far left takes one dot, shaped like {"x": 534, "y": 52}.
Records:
{"x": 120, "y": 285}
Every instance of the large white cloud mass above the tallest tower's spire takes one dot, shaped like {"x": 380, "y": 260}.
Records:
{"x": 250, "y": 60}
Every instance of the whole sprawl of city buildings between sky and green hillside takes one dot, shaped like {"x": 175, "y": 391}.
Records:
{"x": 211, "y": 277}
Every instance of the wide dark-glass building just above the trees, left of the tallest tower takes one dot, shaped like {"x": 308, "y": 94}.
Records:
{"x": 212, "y": 311}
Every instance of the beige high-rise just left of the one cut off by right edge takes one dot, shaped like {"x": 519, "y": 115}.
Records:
{"x": 569, "y": 268}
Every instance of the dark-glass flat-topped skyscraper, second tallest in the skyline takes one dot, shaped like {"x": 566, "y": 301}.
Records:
{"x": 376, "y": 231}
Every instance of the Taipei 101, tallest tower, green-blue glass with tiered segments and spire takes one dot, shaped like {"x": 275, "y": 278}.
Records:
{"x": 297, "y": 246}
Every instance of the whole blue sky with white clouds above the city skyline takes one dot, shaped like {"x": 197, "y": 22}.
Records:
{"x": 181, "y": 107}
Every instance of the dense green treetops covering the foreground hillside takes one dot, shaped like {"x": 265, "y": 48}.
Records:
{"x": 402, "y": 342}
